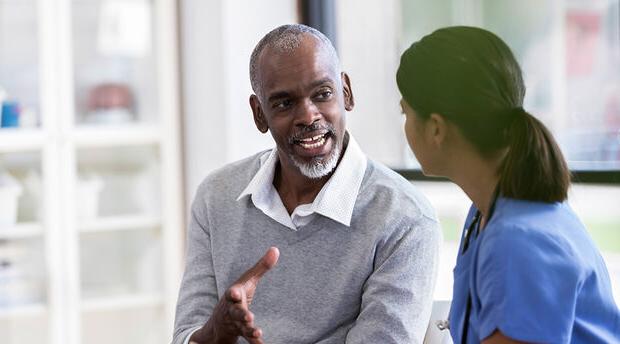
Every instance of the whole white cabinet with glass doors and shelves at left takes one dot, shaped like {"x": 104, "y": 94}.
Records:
{"x": 92, "y": 252}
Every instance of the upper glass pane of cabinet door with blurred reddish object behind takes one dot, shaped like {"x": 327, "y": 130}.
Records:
{"x": 114, "y": 63}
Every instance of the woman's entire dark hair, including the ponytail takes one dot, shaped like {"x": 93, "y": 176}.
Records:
{"x": 470, "y": 77}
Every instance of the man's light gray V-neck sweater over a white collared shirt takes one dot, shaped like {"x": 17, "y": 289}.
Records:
{"x": 371, "y": 282}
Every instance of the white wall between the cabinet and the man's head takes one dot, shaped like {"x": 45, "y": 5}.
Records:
{"x": 217, "y": 39}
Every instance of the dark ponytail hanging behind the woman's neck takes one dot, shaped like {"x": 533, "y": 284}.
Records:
{"x": 534, "y": 168}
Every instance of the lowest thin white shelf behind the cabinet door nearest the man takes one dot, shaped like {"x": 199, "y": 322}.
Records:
{"x": 123, "y": 302}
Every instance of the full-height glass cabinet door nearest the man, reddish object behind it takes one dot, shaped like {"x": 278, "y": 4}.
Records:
{"x": 118, "y": 177}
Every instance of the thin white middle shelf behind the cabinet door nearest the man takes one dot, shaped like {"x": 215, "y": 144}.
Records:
{"x": 119, "y": 223}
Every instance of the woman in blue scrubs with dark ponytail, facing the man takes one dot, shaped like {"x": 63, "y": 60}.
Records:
{"x": 527, "y": 269}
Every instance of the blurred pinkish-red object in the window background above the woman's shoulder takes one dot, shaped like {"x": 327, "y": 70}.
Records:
{"x": 583, "y": 40}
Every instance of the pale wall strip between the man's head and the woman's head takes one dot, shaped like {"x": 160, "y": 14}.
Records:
{"x": 368, "y": 35}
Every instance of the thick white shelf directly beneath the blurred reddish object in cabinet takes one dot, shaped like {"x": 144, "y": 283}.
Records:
{"x": 116, "y": 135}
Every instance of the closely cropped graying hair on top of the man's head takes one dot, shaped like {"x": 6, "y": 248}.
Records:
{"x": 286, "y": 39}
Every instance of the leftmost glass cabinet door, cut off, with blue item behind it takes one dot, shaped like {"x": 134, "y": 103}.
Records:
{"x": 24, "y": 306}
